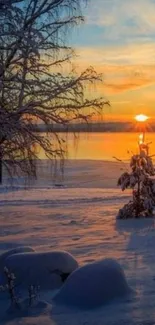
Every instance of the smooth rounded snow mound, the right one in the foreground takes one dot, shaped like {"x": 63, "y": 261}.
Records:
{"x": 93, "y": 285}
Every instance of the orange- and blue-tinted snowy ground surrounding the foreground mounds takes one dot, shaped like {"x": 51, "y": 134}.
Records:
{"x": 82, "y": 221}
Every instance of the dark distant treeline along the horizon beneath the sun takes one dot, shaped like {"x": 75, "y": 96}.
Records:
{"x": 93, "y": 127}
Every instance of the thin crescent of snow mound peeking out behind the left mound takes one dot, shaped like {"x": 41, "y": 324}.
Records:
{"x": 16, "y": 250}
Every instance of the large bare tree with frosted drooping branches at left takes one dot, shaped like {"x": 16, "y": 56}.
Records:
{"x": 37, "y": 82}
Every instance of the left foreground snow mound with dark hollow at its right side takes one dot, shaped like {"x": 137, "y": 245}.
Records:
{"x": 45, "y": 269}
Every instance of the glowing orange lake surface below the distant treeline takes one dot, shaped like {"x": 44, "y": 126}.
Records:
{"x": 104, "y": 146}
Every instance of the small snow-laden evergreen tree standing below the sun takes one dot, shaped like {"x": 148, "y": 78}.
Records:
{"x": 140, "y": 180}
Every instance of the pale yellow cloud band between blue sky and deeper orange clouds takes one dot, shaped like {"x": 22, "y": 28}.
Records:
{"x": 119, "y": 55}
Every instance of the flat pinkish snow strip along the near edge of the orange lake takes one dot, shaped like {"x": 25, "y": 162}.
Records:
{"x": 77, "y": 173}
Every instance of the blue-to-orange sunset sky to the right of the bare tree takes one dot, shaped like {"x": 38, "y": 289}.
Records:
{"x": 118, "y": 39}
